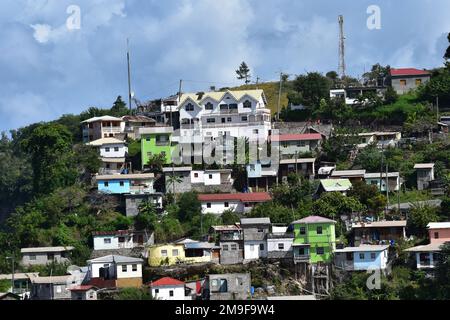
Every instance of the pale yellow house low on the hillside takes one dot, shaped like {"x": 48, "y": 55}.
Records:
{"x": 165, "y": 254}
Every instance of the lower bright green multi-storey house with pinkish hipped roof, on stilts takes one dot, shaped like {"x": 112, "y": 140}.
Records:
{"x": 314, "y": 240}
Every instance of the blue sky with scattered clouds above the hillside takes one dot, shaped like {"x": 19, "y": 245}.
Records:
{"x": 52, "y": 63}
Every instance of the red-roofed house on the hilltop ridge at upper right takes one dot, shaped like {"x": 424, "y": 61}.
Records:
{"x": 406, "y": 79}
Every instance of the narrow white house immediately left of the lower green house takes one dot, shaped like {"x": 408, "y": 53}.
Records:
{"x": 279, "y": 243}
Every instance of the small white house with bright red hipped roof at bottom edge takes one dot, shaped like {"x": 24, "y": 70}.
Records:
{"x": 168, "y": 289}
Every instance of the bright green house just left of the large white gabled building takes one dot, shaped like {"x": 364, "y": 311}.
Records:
{"x": 156, "y": 140}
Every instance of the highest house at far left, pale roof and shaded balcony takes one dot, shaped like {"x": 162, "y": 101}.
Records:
{"x": 102, "y": 127}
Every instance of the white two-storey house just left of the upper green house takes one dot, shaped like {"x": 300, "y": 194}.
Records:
{"x": 112, "y": 153}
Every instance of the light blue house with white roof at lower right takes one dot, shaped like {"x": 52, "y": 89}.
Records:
{"x": 362, "y": 258}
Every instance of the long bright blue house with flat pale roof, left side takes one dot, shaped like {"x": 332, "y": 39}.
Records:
{"x": 126, "y": 183}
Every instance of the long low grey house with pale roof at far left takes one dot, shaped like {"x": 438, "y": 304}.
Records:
{"x": 45, "y": 255}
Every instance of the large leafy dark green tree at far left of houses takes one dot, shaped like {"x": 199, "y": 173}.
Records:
{"x": 50, "y": 147}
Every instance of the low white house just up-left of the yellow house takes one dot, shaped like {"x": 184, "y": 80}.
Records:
{"x": 122, "y": 239}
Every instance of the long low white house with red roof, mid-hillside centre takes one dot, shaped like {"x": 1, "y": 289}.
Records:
{"x": 217, "y": 203}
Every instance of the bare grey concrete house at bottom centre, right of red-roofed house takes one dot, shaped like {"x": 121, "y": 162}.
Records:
{"x": 232, "y": 286}
